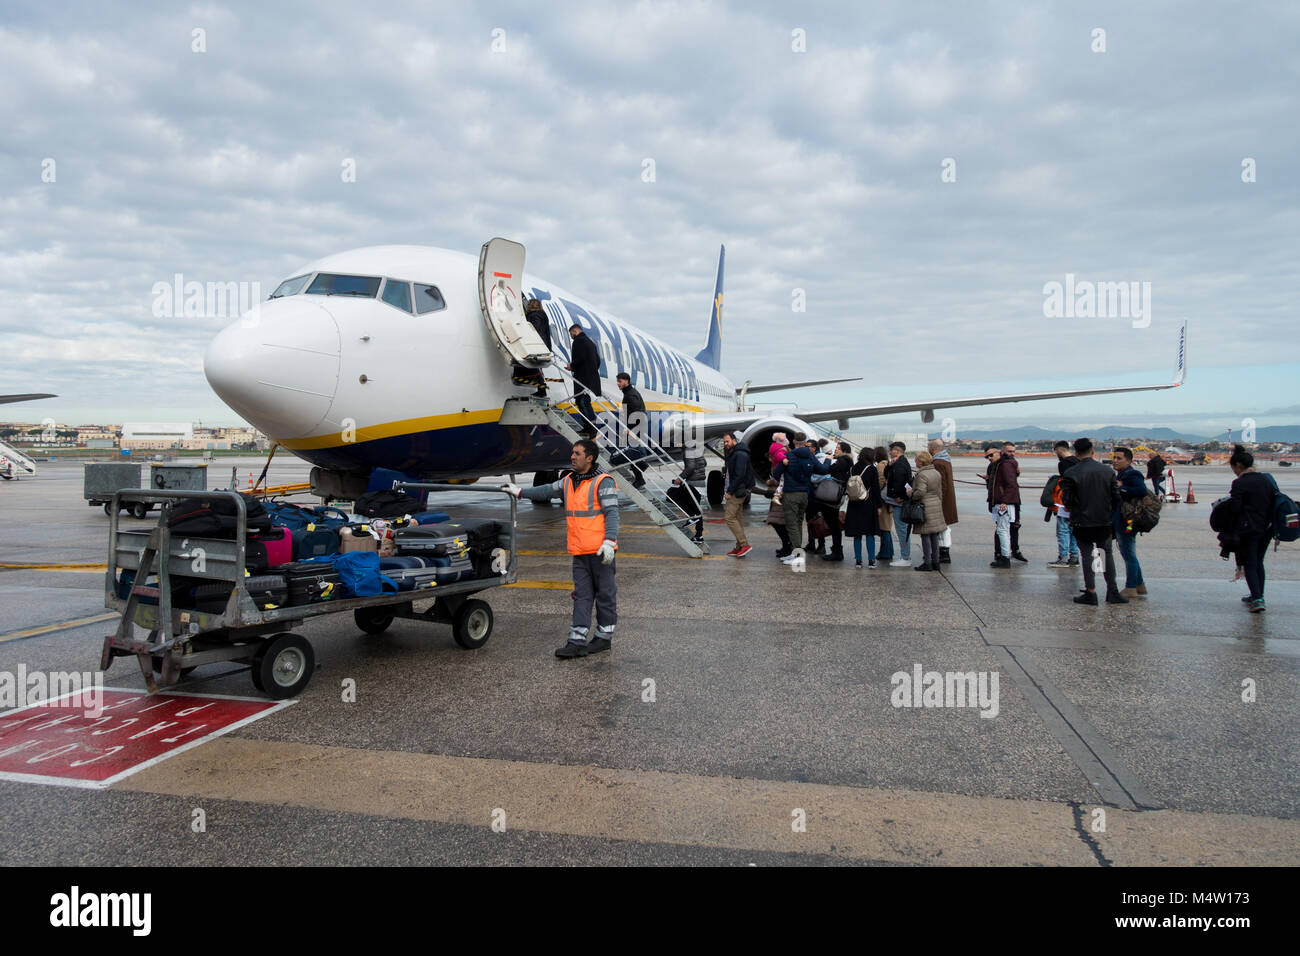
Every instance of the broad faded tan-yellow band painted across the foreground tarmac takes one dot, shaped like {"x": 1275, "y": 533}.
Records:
{"x": 699, "y": 811}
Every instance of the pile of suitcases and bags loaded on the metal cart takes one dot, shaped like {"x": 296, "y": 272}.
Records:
{"x": 297, "y": 556}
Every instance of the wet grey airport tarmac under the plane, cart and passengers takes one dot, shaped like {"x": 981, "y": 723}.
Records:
{"x": 746, "y": 715}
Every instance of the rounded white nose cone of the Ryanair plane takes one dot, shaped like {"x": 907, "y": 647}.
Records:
{"x": 278, "y": 366}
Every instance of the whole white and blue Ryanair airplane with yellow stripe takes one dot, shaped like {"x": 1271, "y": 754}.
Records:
{"x": 401, "y": 357}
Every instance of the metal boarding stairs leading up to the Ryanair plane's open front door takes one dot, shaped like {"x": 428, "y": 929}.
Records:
{"x": 652, "y": 499}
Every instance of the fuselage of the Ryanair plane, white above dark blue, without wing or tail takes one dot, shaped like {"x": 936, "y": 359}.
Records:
{"x": 352, "y": 382}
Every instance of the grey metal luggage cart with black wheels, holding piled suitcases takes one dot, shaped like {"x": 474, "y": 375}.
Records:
{"x": 180, "y": 639}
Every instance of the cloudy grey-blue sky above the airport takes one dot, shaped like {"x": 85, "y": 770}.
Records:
{"x": 822, "y": 170}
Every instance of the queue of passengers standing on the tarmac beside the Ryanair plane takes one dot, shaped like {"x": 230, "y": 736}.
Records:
{"x": 820, "y": 492}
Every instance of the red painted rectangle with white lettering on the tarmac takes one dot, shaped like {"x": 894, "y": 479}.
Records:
{"x": 67, "y": 743}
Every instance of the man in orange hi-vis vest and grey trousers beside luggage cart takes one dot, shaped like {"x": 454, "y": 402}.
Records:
{"x": 592, "y": 513}
